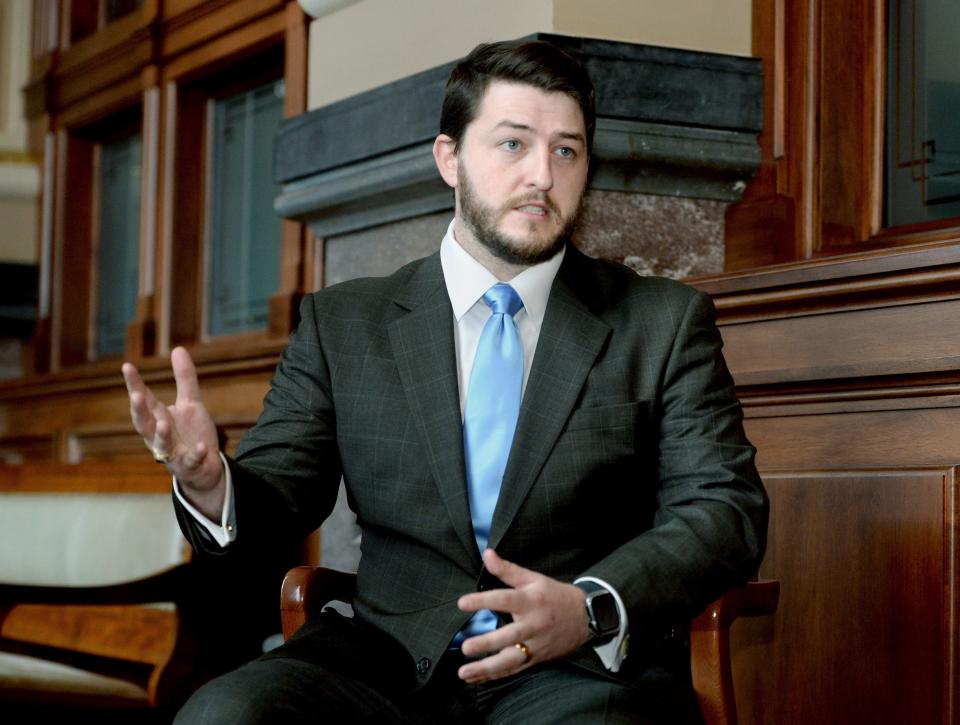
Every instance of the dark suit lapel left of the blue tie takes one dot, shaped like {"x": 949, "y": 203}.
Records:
{"x": 425, "y": 353}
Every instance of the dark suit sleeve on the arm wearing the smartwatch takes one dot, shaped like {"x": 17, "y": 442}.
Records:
{"x": 709, "y": 530}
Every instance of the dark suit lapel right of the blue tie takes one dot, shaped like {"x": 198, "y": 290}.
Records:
{"x": 570, "y": 340}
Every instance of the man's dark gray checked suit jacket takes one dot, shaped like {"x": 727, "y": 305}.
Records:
{"x": 629, "y": 462}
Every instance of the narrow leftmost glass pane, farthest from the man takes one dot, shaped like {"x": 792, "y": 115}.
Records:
{"x": 118, "y": 244}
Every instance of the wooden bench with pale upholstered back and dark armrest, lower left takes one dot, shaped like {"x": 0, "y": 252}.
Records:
{"x": 92, "y": 567}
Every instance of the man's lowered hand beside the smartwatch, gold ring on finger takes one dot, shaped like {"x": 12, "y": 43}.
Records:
{"x": 549, "y": 620}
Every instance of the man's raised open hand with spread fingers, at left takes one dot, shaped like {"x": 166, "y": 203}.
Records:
{"x": 183, "y": 435}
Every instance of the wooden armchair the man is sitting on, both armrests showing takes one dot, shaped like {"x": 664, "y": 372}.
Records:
{"x": 307, "y": 590}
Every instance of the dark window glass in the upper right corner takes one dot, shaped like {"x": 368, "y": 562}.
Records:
{"x": 923, "y": 108}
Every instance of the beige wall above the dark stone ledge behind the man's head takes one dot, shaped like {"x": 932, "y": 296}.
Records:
{"x": 361, "y": 44}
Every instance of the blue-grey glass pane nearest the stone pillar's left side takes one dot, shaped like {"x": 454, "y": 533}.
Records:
{"x": 243, "y": 268}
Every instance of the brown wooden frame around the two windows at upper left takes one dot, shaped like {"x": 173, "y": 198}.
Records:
{"x": 145, "y": 58}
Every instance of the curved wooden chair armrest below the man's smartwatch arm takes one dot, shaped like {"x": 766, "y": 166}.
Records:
{"x": 710, "y": 665}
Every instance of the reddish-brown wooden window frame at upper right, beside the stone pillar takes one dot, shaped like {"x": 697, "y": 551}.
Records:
{"x": 820, "y": 189}
